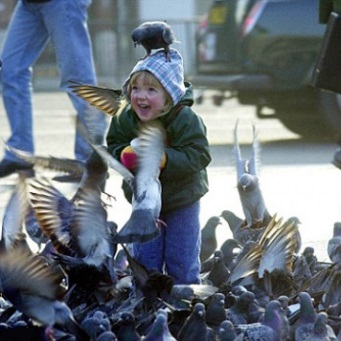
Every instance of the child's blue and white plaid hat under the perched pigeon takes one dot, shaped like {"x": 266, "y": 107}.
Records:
{"x": 169, "y": 73}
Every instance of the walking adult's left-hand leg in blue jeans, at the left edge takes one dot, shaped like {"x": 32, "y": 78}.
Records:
{"x": 26, "y": 38}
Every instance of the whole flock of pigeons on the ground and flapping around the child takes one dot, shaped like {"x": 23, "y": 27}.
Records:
{"x": 83, "y": 283}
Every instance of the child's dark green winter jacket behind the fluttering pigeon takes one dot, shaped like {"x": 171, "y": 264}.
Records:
{"x": 184, "y": 179}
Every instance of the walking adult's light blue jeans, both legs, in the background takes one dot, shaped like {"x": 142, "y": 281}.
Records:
{"x": 32, "y": 25}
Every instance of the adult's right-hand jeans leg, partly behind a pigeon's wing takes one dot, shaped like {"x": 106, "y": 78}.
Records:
{"x": 66, "y": 22}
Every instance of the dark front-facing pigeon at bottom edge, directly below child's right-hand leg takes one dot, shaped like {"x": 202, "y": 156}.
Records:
{"x": 195, "y": 327}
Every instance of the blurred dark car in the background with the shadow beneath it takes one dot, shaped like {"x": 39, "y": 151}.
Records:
{"x": 263, "y": 52}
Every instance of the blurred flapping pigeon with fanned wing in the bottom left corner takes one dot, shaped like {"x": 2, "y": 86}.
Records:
{"x": 35, "y": 290}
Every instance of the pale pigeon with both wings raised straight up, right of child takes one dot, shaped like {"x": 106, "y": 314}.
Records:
{"x": 251, "y": 197}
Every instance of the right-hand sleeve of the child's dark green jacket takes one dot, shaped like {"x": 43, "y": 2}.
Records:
{"x": 187, "y": 145}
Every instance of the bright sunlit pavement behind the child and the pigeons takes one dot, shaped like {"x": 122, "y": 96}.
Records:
{"x": 296, "y": 177}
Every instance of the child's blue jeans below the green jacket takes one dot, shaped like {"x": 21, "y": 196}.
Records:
{"x": 176, "y": 251}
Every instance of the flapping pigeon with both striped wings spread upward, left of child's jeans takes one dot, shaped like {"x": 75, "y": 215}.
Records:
{"x": 80, "y": 235}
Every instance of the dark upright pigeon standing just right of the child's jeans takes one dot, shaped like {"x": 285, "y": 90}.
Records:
{"x": 208, "y": 238}
